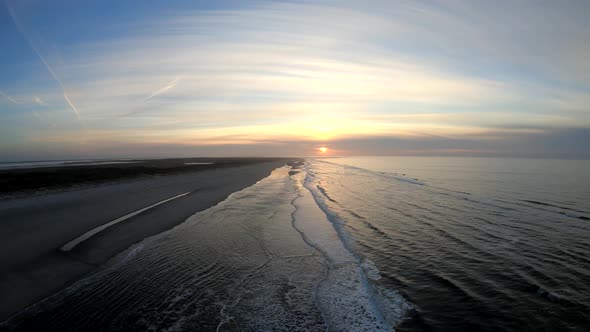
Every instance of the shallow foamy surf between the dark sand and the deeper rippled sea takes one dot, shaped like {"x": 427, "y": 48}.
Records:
{"x": 265, "y": 258}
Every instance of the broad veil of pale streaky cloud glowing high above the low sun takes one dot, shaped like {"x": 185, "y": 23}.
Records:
{"x": 470, "y": 74}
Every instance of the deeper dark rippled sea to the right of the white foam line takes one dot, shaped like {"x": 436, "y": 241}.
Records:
{"x": 474, "y": 244}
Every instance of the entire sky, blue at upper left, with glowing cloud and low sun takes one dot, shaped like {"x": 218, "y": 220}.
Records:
{"x": 128, "y": 79}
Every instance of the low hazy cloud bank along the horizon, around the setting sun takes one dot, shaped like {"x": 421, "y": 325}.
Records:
{"x": 551, "y": 143}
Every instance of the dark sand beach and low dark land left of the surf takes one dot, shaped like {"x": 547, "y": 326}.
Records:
{"x": 35, "y": 226}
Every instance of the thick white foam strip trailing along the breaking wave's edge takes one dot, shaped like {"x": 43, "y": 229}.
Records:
{"x": 344, "y": 296}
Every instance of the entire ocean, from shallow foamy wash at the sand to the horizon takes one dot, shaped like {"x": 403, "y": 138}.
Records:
{"x": 363, "y": 243}
